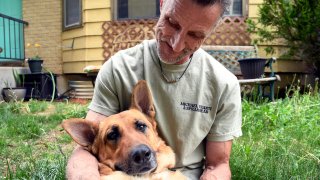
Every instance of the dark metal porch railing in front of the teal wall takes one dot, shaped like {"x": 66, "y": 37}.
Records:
{"x": 11, "y": 38}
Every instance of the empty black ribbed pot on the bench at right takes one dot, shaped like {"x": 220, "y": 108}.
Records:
{"x": 252, "y": 68}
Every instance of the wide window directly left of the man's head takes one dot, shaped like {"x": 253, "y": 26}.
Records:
{"x": 136, "y": 9}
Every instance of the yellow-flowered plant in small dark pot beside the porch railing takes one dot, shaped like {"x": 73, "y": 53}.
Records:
{"x": 35, "y": 62}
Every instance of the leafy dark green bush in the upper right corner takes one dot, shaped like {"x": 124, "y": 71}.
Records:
{"x": 296, "y": 23}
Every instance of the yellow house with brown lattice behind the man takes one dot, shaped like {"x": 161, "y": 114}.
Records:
{"x": 74, "y": 34}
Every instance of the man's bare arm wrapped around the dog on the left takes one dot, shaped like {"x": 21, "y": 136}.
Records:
{"x": 82, "y": 164}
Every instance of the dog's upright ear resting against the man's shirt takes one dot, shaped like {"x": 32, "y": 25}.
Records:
{"x": 142, "y": 99}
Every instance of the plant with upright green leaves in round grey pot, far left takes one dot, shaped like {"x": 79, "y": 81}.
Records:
{"x": 13, "y": 94}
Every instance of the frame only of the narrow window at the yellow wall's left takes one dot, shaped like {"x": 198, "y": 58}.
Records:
{"x": 64, "y": 17}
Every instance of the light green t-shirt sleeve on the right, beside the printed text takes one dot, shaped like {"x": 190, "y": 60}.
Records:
{"x": 228, "y": 120}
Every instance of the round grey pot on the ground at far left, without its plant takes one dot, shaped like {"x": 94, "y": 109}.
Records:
{"x": 14, "y": 94}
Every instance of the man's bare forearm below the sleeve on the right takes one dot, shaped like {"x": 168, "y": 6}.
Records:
{"x": 217, "y": 160}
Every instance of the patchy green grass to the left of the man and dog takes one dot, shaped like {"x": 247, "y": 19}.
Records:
{"x": 32, "y": 144}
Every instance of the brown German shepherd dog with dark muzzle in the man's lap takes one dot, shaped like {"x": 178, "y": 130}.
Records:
{"x": 127, "y": 144}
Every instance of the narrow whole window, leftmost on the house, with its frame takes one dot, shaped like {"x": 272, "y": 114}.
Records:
{"x": 72, "y": 14}
